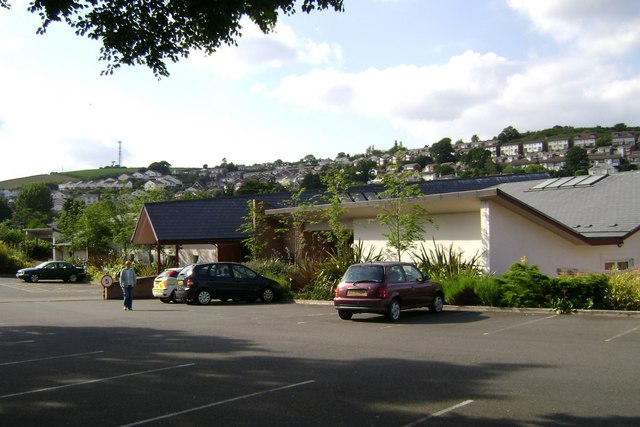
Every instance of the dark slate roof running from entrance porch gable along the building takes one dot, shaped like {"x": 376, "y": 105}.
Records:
{"x": 217, "y": 220}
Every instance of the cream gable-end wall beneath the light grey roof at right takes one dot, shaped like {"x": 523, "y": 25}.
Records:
{"x": 510, "y": 237}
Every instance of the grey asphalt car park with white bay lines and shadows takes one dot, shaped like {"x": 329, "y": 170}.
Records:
{"x": 69, "y": 358}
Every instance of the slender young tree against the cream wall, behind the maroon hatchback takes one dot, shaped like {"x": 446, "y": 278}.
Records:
{"x": 404, "y": 219}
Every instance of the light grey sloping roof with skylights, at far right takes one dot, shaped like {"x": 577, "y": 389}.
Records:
{"x": 606, "y": 208}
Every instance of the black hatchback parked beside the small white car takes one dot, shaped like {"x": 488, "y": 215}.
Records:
{"x": 201, "y": 283}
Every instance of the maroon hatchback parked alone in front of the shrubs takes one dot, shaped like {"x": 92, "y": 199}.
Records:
{"x": 387, "y": 288}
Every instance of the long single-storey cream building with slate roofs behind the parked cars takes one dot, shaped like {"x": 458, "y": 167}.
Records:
{"x": 572, "y": 224}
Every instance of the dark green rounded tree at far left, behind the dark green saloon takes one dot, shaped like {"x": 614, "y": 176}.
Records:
{"x": 34, "y": 206}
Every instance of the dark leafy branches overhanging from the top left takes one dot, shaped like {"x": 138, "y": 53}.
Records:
{"x": 149, "y": 32}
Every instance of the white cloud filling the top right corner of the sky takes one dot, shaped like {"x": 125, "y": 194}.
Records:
{"x": 601, "y": 27}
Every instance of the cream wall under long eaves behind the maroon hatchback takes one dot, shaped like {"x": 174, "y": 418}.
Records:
{"x": 460, "y": 229}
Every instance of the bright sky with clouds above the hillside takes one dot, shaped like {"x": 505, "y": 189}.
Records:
{"x": 412, "y": 71}
